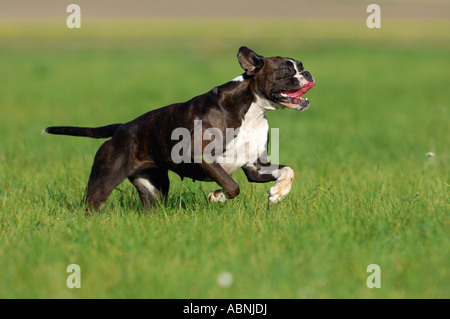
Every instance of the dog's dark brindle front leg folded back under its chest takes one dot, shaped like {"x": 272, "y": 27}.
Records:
{"x": 230, "y": 188}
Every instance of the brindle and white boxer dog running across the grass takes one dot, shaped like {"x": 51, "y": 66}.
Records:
{"x": 146, "y": 148}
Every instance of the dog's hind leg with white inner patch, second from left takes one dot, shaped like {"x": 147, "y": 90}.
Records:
{"x": 152, "y": 185}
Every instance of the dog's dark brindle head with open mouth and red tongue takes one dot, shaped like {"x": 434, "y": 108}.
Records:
{"x": 280, "y": 80}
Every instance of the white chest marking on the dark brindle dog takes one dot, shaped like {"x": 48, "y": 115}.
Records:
{"x": 250, "y": 141}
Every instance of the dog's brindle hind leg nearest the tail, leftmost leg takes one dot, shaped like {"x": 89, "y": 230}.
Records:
{"x": 110, "y": 168}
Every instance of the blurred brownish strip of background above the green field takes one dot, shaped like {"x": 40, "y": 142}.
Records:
{"x": 414, "y": 9}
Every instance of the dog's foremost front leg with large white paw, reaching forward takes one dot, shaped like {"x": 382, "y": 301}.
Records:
{"x": 263, "y": 173}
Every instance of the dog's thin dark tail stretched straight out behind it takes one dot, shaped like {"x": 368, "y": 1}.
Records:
{"x": 94, "y": 132}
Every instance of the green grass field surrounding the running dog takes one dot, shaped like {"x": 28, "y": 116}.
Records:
{"x": 365, "y": 192}
